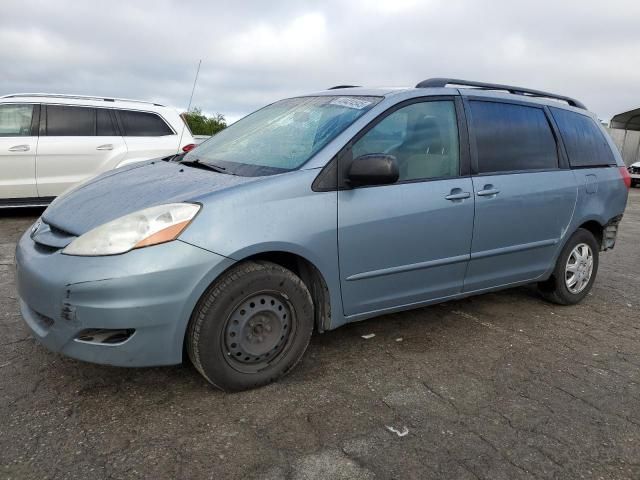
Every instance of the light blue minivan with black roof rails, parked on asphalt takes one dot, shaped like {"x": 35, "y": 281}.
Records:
{"x": 317, "y": 211}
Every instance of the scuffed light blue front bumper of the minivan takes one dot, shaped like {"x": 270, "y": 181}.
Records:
{"x": 149, "y": 292}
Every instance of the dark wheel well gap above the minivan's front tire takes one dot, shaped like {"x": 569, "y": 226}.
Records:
{"x": 311, "y": 277}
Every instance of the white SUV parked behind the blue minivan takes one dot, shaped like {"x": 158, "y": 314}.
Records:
{"x": 49, "y": 143}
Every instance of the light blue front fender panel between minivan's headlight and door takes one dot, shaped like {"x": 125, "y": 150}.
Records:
{"x": 275, "y": 214}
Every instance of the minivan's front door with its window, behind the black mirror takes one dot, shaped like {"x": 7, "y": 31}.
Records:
{"x": 409, "y": 242}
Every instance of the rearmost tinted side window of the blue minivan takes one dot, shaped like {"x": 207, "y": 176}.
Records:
{"x": 585, "y": 143}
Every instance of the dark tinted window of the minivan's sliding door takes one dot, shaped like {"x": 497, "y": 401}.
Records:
{"x": 512, "y": 137}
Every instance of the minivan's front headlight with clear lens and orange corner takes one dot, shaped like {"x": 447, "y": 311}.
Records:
{"x": 143, "y": 228}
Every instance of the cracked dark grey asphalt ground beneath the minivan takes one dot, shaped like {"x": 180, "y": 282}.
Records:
{"x": 499, "y": 386}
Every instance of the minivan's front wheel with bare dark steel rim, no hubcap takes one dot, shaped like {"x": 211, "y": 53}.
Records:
{"x": 251, "y": 326}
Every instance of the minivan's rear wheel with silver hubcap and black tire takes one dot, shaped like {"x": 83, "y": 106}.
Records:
{"x": 557, "y": 288}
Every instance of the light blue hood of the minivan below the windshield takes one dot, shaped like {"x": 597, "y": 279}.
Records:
{"x": 131, "y": 188}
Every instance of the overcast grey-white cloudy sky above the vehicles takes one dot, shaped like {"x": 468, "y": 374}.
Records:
{"x": 254, "y": 51}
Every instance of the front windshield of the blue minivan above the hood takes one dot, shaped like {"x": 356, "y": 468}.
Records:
{"x": 281, "y": 136}
